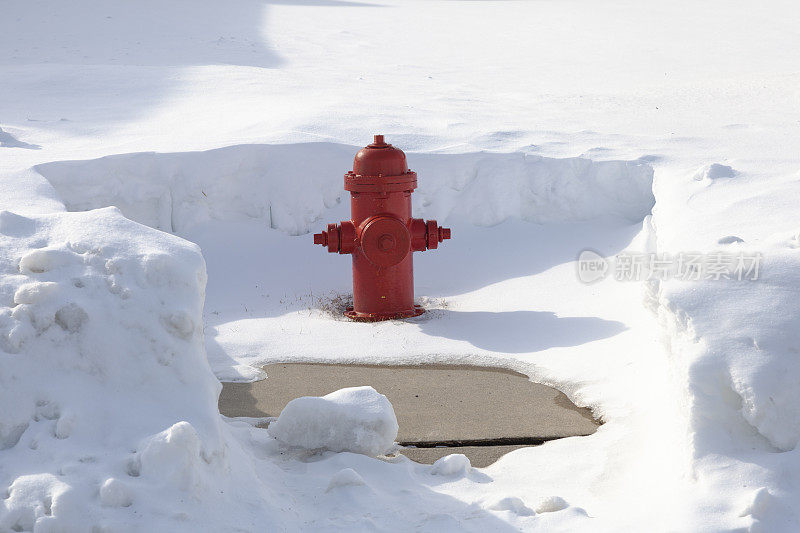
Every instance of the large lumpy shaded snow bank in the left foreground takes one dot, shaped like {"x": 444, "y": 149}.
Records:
{"x": 109, "y": 417}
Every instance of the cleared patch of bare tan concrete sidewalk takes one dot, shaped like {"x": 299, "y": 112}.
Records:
{"x": 481, "y": 412}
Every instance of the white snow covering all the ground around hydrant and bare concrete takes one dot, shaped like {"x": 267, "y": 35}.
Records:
{"x": 538, "y": 129}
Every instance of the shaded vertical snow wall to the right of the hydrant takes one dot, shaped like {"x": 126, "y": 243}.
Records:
{"x": 487, "y": 188}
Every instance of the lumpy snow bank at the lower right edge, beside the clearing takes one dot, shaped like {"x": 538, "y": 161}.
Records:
{"x": 735, "y": 348}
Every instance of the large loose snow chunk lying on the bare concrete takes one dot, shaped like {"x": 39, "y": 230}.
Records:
{"x": 355, "y": 419}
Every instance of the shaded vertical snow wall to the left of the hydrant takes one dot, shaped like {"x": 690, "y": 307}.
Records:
{"x": 286, "y": 187}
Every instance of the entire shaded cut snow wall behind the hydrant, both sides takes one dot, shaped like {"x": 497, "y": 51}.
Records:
{"x": 290, "y": 187}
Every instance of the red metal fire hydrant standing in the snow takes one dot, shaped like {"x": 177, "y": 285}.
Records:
{"x": 381, "y": 235}
